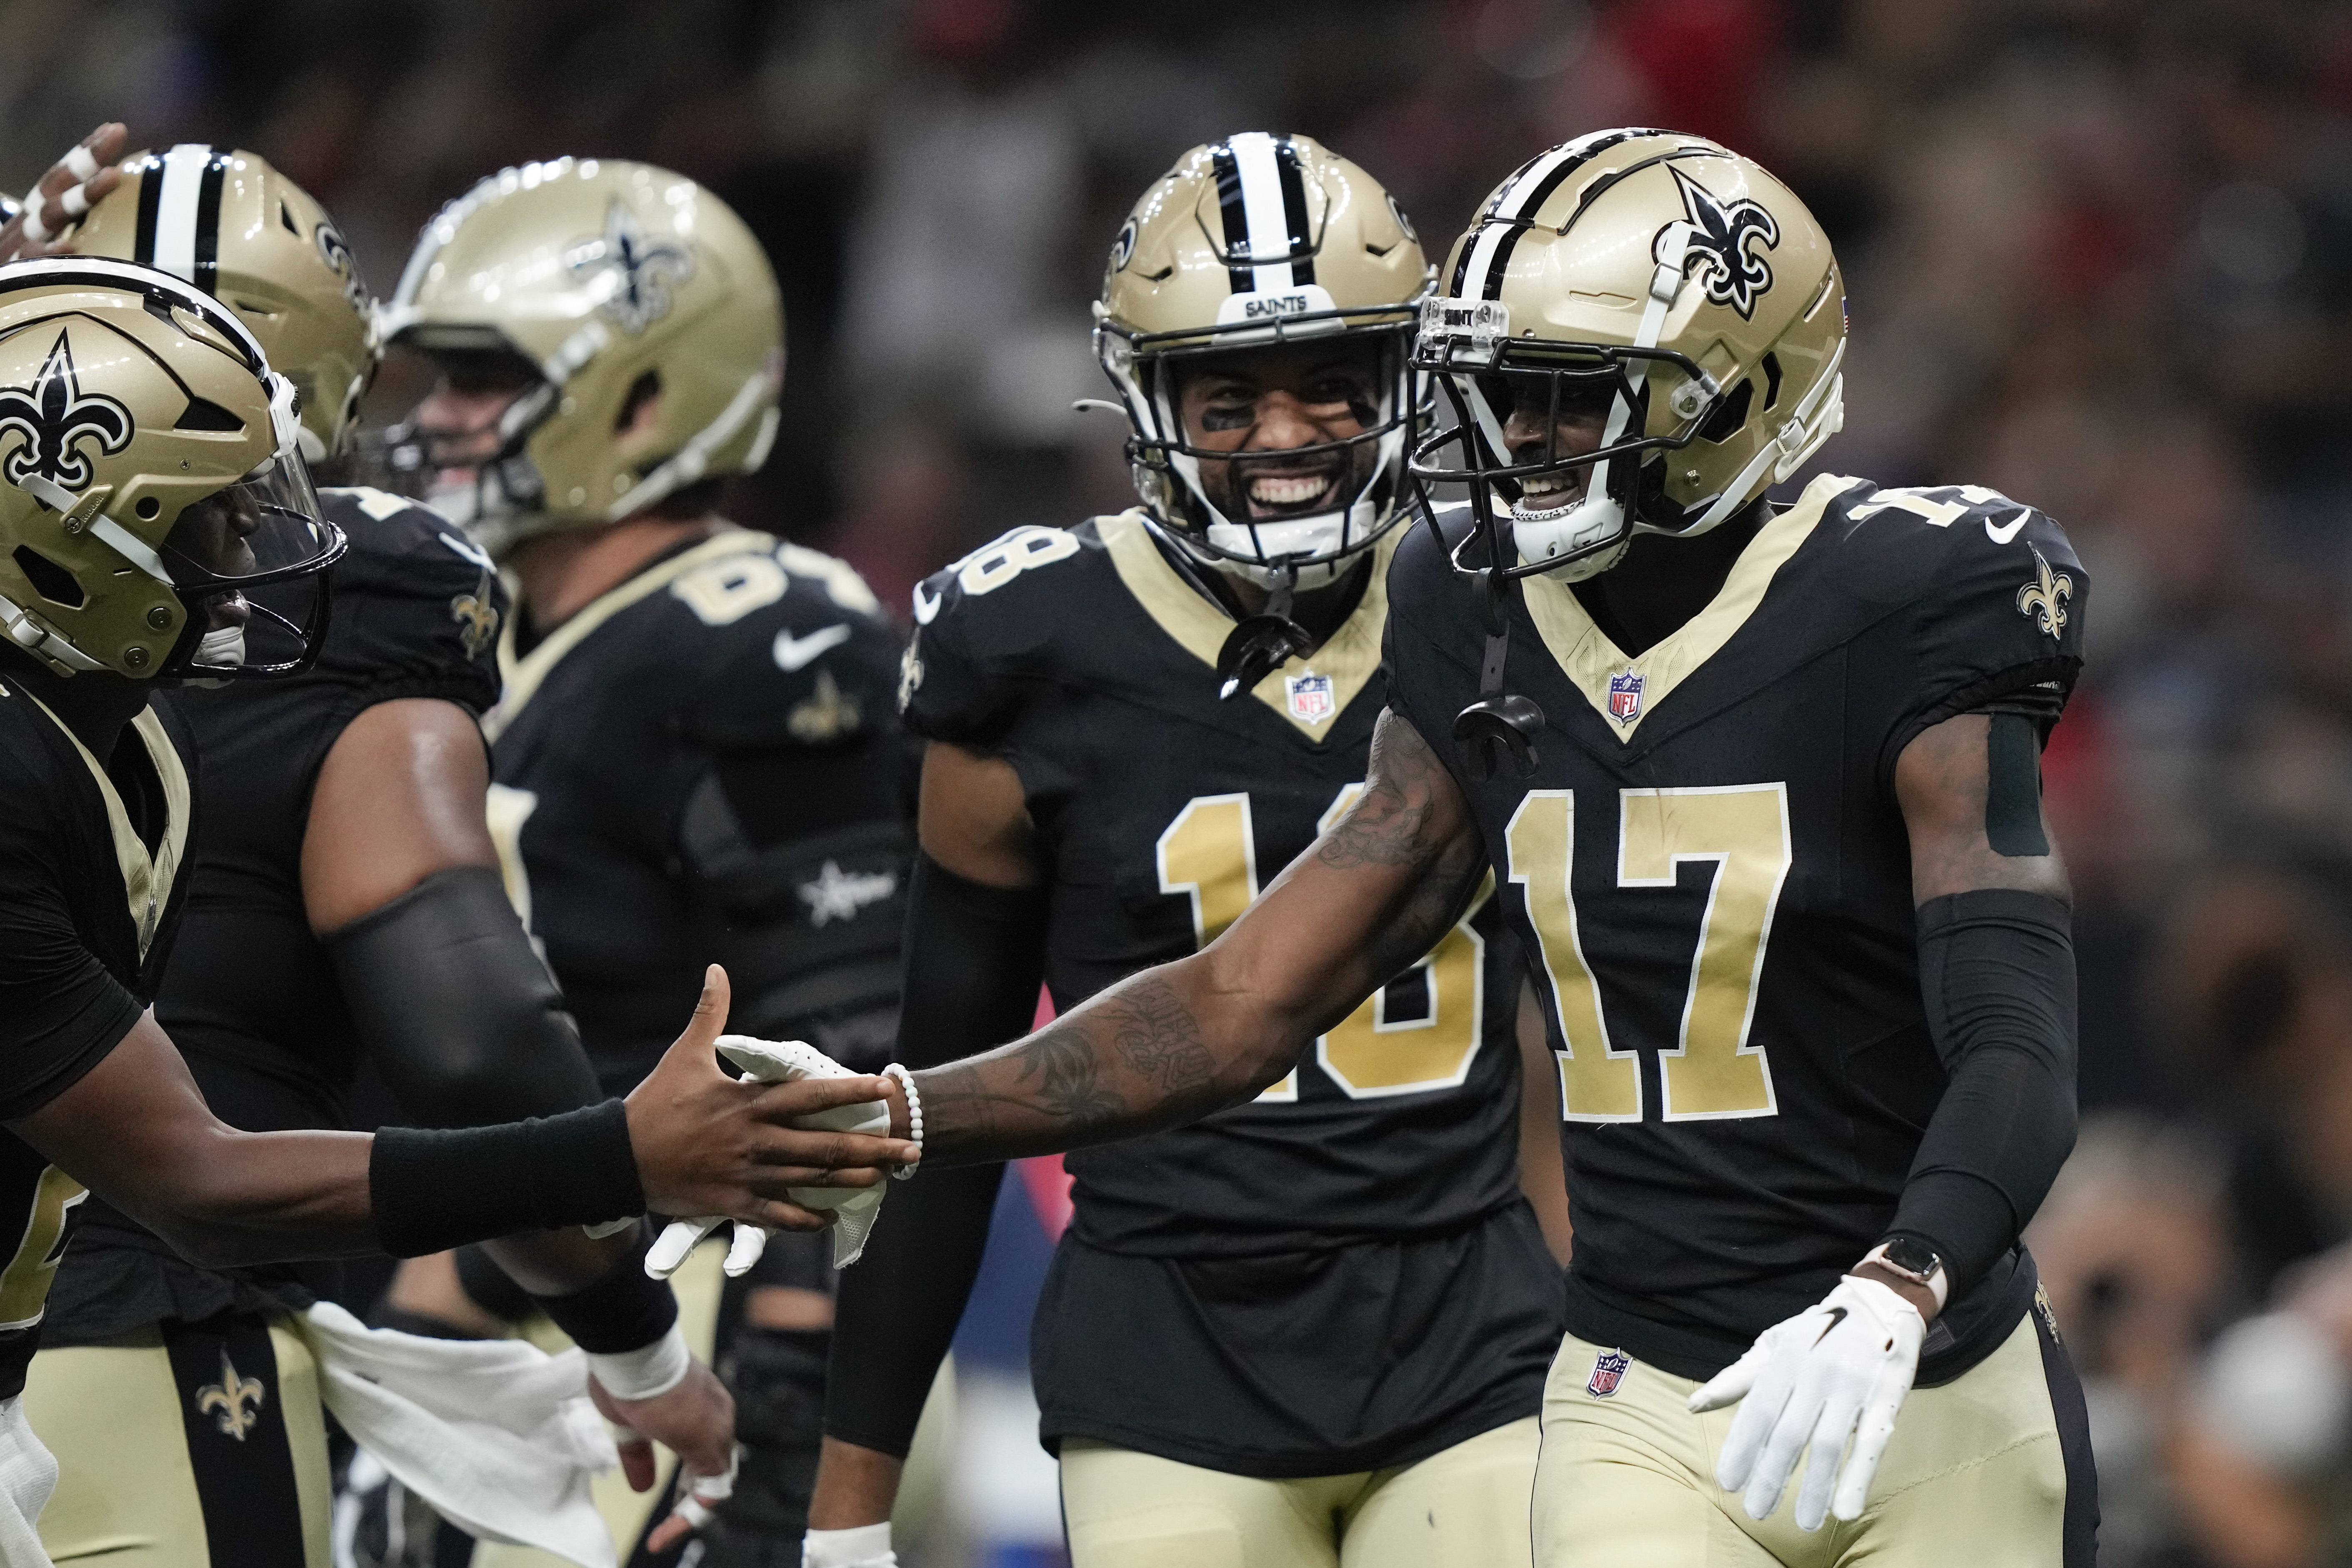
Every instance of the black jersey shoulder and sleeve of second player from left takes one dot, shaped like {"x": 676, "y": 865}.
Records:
{"x": 417, "y": 605}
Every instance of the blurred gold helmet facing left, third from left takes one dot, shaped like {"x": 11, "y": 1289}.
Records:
{"x": 613, "y": 279}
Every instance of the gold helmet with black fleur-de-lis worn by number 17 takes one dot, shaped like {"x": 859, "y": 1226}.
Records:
{"x": 1669, "y": 279}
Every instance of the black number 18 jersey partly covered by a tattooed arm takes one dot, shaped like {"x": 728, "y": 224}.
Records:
{"x": 1085, "y": 659}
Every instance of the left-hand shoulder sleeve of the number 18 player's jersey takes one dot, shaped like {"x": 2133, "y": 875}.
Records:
{"x": 989, "y": 622}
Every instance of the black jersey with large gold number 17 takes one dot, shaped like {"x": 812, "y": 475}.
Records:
{"x": 1713, "y": 873}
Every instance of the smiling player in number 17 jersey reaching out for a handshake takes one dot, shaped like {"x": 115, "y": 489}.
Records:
{"x": 1758, "y": 786}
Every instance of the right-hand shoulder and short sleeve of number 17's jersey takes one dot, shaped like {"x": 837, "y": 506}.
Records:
{"x": 1991, "y": 591}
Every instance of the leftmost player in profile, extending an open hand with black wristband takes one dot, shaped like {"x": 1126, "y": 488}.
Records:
{"x": 154, "y": 507}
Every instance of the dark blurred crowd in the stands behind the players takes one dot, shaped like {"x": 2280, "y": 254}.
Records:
{"x": 2099, "y": 257}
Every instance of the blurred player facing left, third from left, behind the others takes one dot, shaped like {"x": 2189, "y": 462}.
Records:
{"x": 695, "y": 753}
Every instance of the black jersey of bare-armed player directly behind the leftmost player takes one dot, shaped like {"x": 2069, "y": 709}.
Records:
{"x": 250, "y": 996}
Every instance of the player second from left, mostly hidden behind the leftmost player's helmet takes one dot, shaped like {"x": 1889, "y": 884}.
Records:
{"x": 342, "y": 857}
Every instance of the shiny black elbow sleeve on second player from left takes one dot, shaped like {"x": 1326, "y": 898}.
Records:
{"x": 457, "y": 1010}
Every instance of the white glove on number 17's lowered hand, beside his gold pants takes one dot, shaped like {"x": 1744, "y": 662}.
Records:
{"x": 1829, "y": 1374}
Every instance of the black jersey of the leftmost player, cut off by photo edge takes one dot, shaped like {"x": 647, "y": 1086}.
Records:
{"x": 91, "y": 897}
